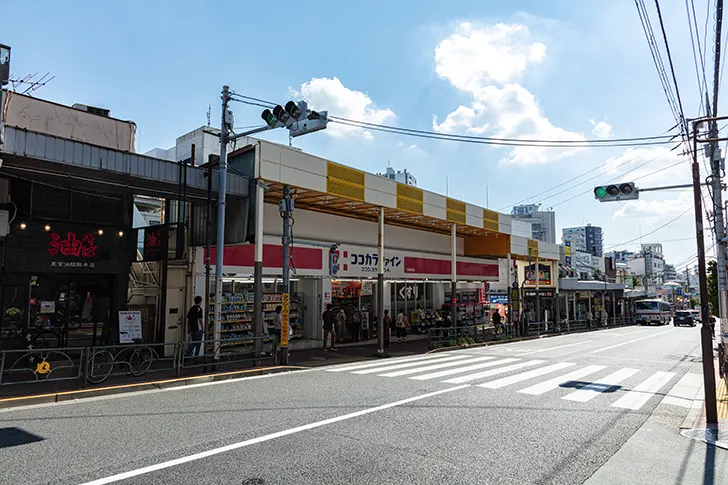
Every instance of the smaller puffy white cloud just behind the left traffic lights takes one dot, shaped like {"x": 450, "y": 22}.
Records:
{"x": 330, "y": 94}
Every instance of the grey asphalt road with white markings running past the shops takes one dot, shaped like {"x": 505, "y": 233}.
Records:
{"x": 567, "y": 409}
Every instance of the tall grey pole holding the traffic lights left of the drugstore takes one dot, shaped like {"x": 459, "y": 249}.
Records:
{"x": 221, "y": 196}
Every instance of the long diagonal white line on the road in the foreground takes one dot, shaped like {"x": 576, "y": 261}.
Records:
{"x": 262, "y": 439}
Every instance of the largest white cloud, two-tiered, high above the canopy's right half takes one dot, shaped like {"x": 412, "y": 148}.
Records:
{"x": 478, "y": 60}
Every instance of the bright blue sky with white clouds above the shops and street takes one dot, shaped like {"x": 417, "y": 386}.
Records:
{"x": 529, "y": 69}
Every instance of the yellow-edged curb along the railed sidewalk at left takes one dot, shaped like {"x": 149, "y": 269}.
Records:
{"x": 62, "y": 396}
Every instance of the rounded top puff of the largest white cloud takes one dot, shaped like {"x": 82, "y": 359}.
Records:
{"x": 474, "y": 57}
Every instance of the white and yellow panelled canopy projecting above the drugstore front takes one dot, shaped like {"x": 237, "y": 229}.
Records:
{"x": 325, "y": 186}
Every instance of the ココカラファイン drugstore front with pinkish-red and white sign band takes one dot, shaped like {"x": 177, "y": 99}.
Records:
{"x": 416, "y": 283}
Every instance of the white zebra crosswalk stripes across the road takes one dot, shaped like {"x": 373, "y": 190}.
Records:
{"x": 623, "y": 388}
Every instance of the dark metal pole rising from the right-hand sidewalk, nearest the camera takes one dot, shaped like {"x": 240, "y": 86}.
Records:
{"x": 711, "y": 411}
